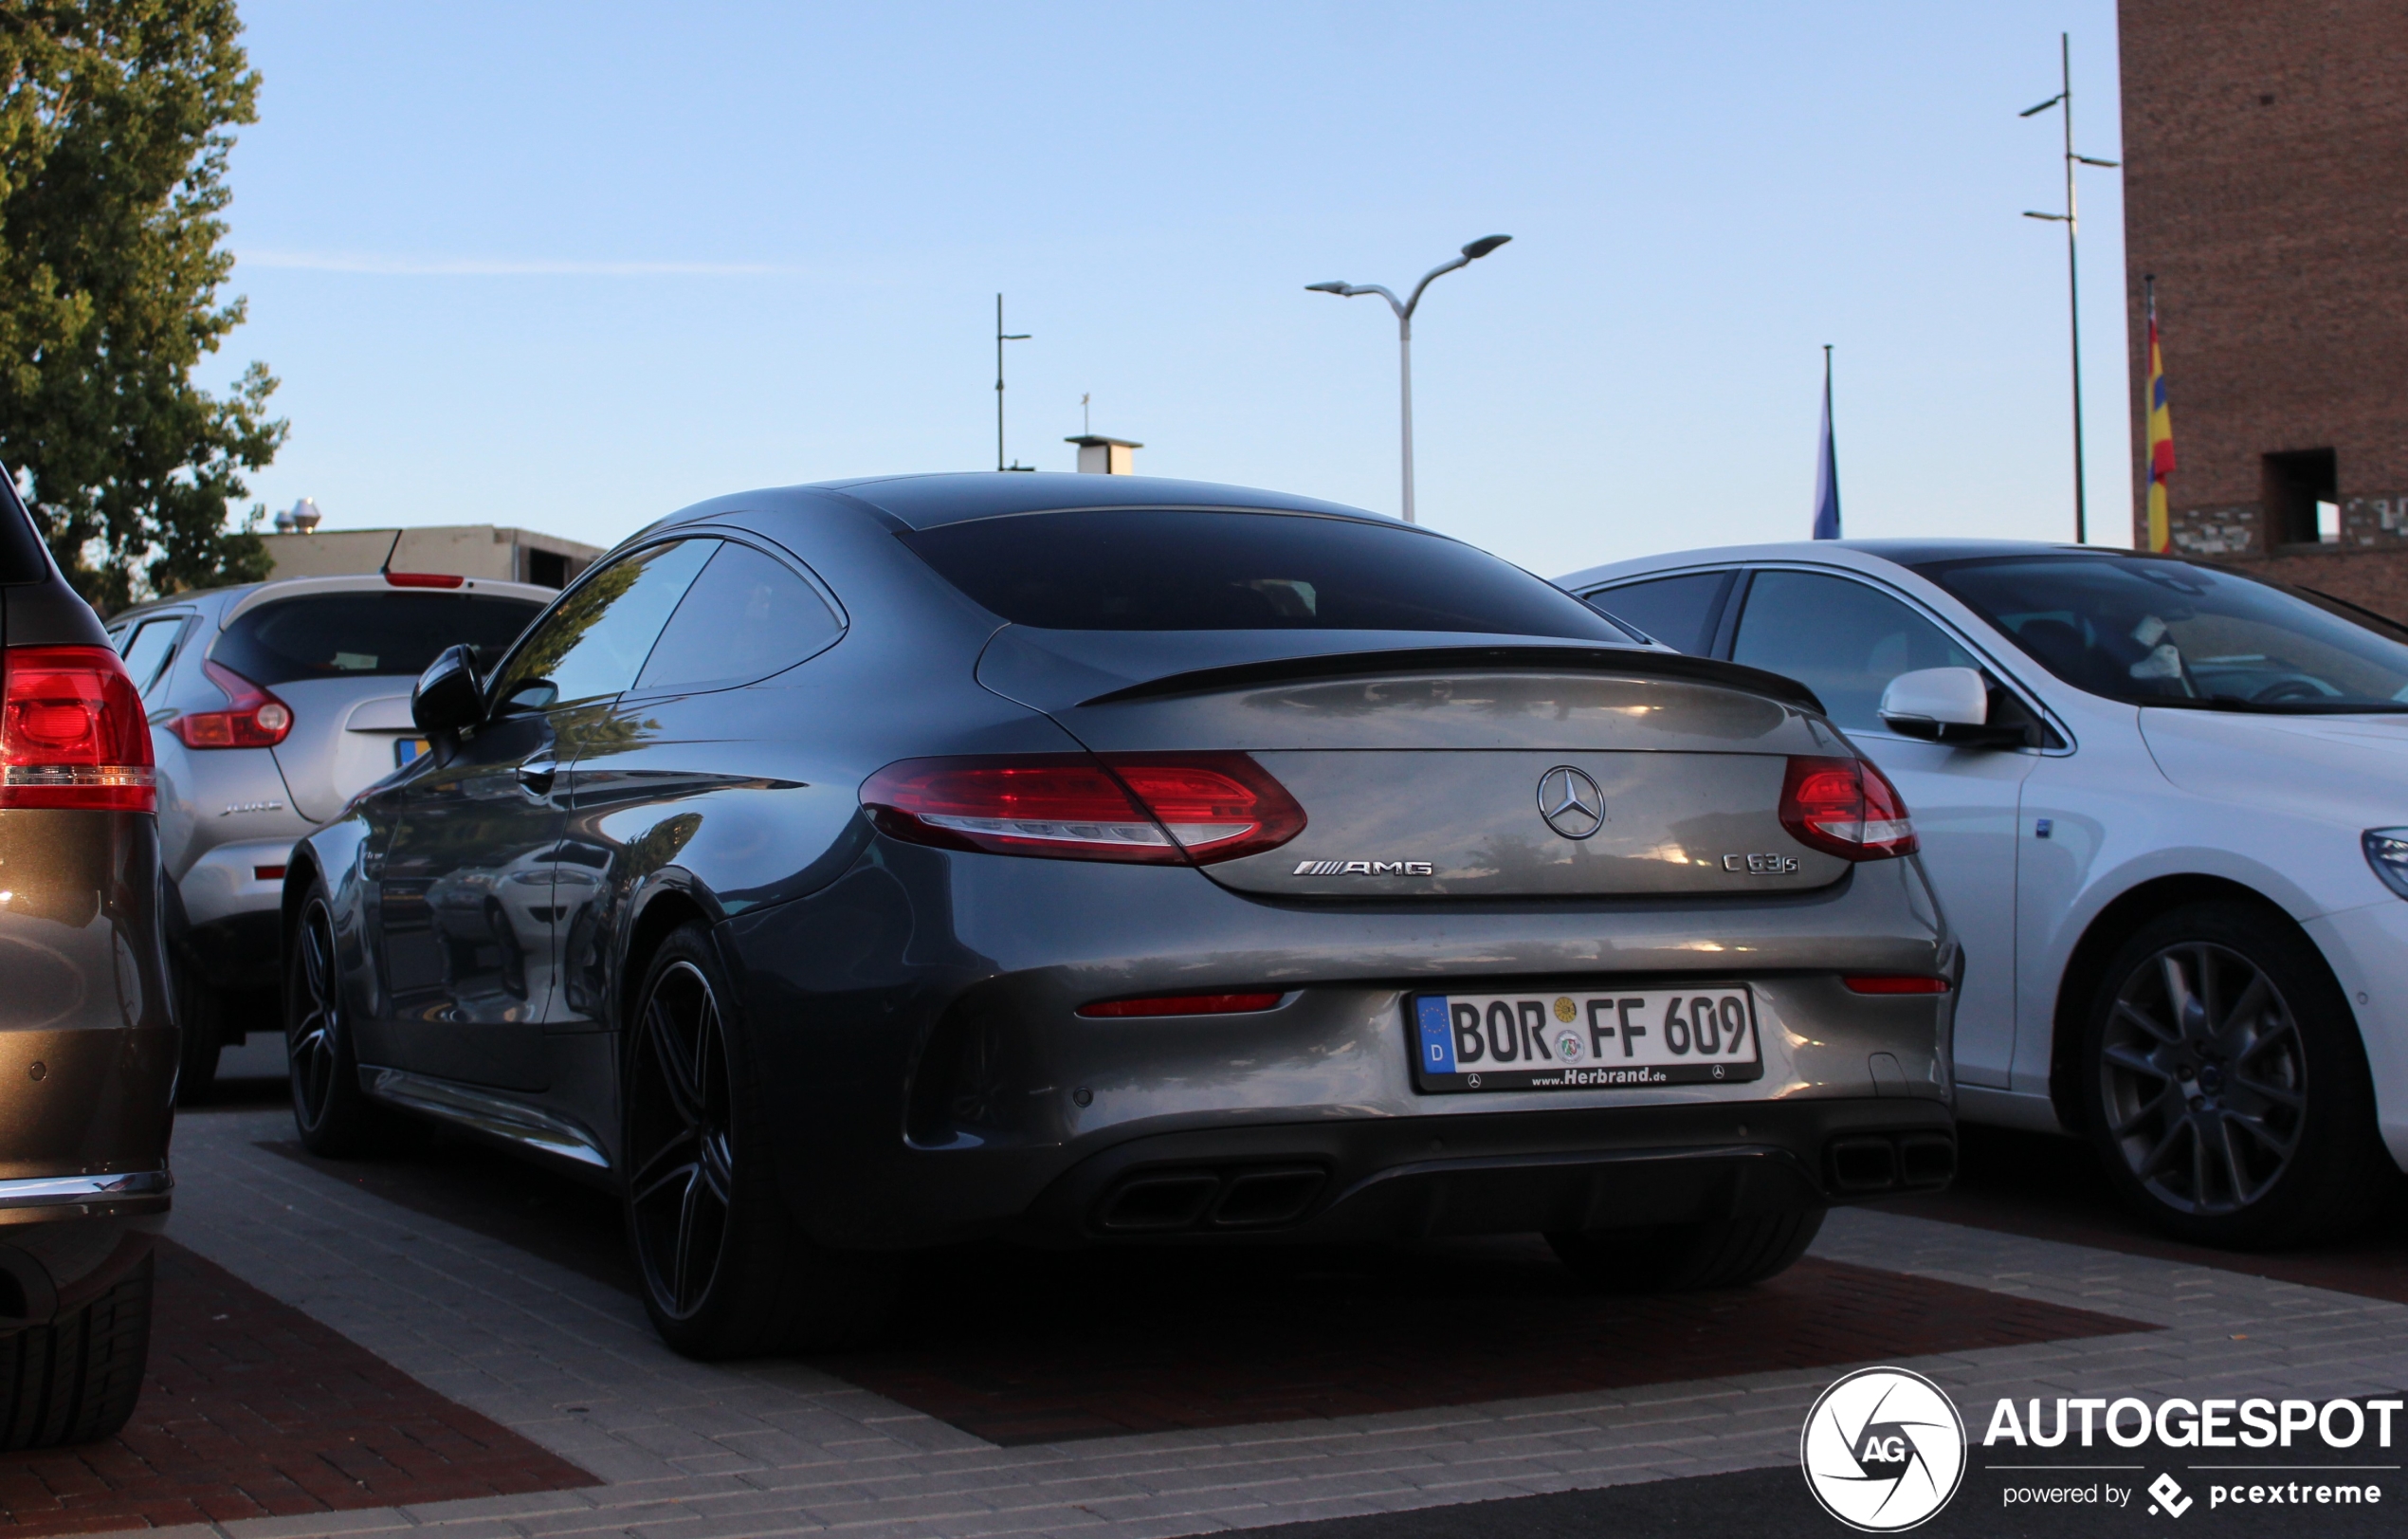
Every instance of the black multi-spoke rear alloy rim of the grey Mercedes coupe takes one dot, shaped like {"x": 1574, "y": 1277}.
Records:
{"x": 680, "y": 1145}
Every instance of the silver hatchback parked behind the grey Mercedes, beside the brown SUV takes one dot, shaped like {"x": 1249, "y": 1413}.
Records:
{"x": 271, "y": 709}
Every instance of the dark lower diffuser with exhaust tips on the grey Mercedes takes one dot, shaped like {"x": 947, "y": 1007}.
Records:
{"x": 1417, "y": 1179}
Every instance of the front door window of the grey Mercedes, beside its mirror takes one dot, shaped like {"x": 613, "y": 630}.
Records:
{"x": 594, "y": 644}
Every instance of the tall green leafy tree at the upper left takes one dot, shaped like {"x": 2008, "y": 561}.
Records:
{"x": 114, "y": 131}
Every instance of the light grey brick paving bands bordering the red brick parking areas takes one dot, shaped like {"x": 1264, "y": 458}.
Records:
{"x": 690, "y": 1451}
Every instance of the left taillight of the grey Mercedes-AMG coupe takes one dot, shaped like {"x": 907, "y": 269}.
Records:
{"x": 1143, "y": 808}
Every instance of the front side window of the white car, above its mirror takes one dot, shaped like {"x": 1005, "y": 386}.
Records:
{"x": 1841, "y": 639}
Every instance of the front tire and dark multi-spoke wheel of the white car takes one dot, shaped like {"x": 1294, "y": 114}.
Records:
{"x": 2226, "y": 1087}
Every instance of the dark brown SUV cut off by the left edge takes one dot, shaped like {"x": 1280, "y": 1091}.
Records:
{"x": 88, "y": 1046}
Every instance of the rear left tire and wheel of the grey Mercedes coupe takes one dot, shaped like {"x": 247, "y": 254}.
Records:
{"x": 726, "y": 1268}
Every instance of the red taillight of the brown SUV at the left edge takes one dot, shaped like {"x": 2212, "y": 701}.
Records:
{"x": 73, "y": 733}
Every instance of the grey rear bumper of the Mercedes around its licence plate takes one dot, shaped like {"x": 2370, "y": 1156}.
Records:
{"x": 928, "y": 1075}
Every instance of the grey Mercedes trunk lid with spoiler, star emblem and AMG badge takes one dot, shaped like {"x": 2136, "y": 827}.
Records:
{"x": 1429, "y": 767}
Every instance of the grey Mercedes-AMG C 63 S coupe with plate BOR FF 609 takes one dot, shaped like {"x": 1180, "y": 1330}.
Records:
{"x": 1090, "y": 861}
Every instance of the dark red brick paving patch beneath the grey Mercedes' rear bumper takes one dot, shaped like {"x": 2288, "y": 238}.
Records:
{"x": 1400, "y": 1355}
